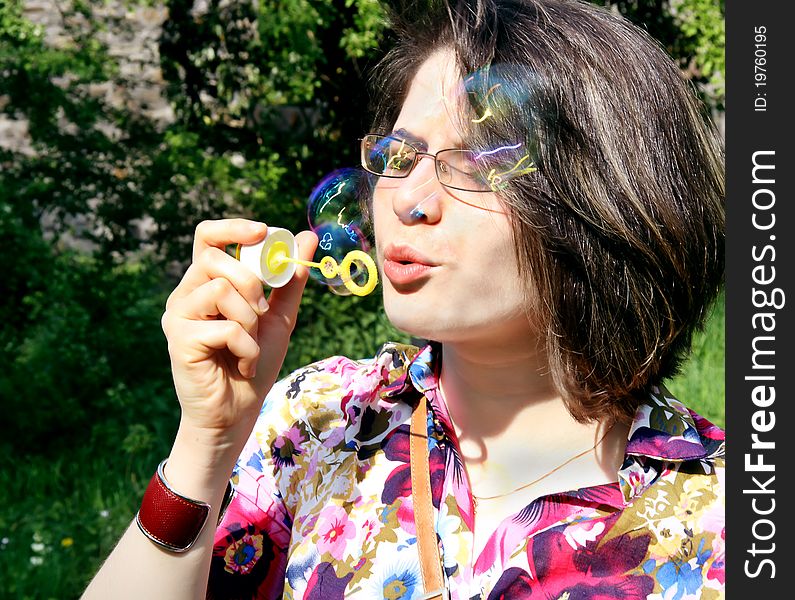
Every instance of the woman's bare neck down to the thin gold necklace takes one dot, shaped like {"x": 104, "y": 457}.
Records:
{"x": 507, "y": 412}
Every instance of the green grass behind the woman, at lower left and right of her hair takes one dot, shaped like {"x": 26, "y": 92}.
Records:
{"x": 62, "y": 513}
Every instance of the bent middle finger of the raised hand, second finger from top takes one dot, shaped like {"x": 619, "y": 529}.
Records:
{"x": 214, "y": 263}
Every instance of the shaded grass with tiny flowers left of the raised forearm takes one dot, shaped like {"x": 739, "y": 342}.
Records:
{"x": 61, "y": 516}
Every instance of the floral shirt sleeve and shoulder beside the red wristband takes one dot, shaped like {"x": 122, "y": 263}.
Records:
{"x": 292, "y": 451}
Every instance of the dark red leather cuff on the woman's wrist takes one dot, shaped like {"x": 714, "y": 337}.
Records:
{"x": 169, "y": 519}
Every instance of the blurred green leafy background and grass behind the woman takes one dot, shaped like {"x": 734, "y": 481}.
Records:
{"x": 123, "y": 123}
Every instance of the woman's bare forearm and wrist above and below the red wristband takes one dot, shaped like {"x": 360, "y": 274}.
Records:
{"x": 139, "y": 568}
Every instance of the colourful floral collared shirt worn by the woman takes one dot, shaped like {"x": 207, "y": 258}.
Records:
{"x": 323, "y": 503}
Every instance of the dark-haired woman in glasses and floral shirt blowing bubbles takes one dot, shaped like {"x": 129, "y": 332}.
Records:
{"x": 560, "y": 285}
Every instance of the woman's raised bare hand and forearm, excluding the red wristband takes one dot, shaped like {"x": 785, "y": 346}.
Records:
{"x": 227, "y": 343}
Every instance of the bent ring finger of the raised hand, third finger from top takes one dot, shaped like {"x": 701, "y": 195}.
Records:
{"x": 218, "y": 298}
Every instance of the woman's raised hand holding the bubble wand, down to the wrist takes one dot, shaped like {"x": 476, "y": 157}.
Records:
{"x": 227, "y": 342}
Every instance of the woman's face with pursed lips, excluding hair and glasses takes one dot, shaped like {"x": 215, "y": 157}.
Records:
{"x": 448, "y": 268}
